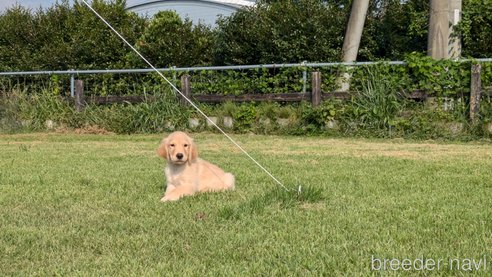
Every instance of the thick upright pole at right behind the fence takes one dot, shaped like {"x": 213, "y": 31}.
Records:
{"x": 442, "y": 43}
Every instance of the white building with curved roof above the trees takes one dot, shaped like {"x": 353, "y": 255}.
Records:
{"x": 204, "y": 11}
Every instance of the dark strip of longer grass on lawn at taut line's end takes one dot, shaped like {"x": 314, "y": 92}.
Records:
{"x": 285, "y": 198}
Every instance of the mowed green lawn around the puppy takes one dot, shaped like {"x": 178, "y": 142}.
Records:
{"x": 89, "y": 205}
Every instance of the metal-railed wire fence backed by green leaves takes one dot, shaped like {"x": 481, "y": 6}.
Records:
{"x": 205, "y": 80}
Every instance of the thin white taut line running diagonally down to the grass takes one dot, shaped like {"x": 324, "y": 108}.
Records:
{"x": 186, "y": 98}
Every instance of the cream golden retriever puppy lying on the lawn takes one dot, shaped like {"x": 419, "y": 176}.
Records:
{"x": 186, "y": 174}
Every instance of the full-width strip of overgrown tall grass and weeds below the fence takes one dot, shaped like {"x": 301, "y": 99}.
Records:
{"x": 378, "y": 111}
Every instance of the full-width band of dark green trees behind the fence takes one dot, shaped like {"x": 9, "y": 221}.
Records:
{"x": 70, "y": 36}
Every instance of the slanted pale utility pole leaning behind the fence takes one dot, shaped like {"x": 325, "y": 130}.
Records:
{"x": 353, "y": 36}
